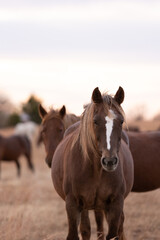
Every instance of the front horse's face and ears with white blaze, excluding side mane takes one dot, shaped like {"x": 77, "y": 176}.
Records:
{"x": 108, "y": 119}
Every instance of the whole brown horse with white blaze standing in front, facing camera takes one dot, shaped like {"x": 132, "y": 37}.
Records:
{"x": 92, "y": 167}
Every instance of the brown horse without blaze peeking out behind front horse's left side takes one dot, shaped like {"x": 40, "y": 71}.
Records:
{"x": 54, "y": 124}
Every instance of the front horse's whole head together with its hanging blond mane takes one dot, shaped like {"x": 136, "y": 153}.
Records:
{"x": 101, "y": 128}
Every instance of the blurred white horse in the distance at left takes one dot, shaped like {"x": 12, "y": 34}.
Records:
{"x": 26, "y": 128}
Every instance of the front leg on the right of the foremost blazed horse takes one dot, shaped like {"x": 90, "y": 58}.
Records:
{"x": 114, "y": 216}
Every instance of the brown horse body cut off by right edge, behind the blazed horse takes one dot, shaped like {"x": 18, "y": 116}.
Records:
{"x": 145, "y": 148}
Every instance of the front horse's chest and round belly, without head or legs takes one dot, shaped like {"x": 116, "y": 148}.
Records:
{"x": 93, "y": 191}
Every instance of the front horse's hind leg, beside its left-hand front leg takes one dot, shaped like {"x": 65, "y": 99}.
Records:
{"x": 85, "y": 227}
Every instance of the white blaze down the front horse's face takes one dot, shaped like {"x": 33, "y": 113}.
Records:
{"x": 109, "y": 127}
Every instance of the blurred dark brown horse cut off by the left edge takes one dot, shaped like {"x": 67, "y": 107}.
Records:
{"x": 12, "y": 147}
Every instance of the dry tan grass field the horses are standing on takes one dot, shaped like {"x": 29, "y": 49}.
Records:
{"x": 30, "y": 209}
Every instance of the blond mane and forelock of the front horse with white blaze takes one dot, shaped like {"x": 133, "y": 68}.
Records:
{"x": 85, "y": 134}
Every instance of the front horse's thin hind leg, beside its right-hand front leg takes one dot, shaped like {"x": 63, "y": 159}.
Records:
{"x": 99, "y": 221}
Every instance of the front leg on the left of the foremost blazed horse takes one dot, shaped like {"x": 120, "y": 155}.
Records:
{"x": 73, "y": 215}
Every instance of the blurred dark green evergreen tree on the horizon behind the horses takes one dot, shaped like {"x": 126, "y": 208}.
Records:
{"x": 31, "y": 108}
